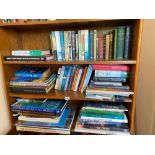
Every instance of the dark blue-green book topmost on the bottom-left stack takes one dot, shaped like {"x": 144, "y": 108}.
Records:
{"x": 48, "y": 106}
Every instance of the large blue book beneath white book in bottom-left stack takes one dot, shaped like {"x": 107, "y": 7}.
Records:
{"x": 60, "y": 124}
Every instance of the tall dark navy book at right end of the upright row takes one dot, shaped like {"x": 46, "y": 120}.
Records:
{"x": 127, "y": 47}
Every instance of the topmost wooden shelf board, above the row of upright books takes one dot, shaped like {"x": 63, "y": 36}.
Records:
{"x": 63, "y": 22}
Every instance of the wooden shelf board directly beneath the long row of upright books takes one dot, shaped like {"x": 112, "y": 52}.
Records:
{"x": 71, "y": 62}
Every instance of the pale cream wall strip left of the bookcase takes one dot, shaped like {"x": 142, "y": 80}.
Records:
{"x": 4, "y": 116}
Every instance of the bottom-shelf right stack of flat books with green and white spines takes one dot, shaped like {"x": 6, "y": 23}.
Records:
{"x": 102, "y": 118}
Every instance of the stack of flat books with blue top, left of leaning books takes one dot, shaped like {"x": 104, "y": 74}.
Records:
{"x": 33, "y": 80}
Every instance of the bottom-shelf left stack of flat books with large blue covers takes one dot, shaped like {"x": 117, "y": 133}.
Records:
{"x": 49, "y": 116}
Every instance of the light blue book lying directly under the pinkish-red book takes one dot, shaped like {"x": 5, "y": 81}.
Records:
{"x": 119, "y": 74}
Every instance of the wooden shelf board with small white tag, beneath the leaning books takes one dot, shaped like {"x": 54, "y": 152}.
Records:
{"x": 54, "y": 94}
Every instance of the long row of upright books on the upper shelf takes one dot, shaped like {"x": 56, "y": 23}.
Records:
{"x": 107, "y": 44}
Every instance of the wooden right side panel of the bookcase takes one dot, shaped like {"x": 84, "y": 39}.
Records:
{"x": 137, "y": 34}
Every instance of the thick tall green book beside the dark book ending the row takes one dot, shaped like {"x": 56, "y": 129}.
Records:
{"x": 120, "y": 42}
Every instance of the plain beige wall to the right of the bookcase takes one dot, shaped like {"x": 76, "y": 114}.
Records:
{"x": 145, "y": 113}
